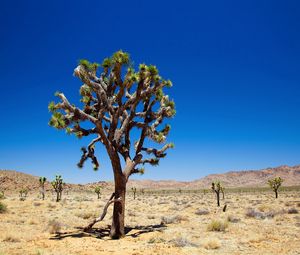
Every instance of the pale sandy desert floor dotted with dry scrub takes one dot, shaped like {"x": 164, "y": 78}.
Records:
{"x": 254, "y": 223}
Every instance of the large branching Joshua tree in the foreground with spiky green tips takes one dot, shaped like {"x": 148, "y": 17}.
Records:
{"x": 120, "y": 104}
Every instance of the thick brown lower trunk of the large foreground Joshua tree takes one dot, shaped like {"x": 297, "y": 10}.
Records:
{"x": 117, "y": 228}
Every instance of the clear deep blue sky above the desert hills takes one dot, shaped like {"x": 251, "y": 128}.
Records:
{"x": 235, "y": 66}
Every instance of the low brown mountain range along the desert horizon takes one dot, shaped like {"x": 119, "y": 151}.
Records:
{"x": 10, "y": 180}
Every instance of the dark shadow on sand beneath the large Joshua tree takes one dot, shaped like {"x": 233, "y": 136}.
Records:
{"x": 103, "y": 233}
